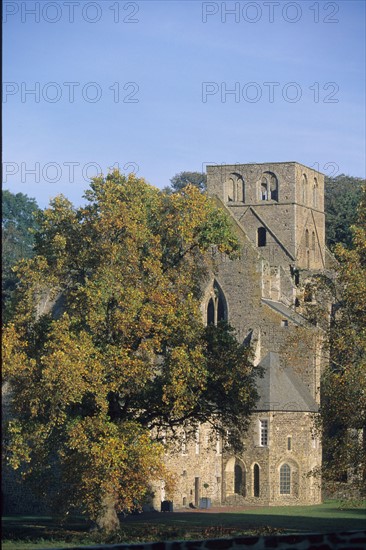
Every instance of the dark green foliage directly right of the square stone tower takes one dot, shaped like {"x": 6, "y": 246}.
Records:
{"x": 342, "y": 197}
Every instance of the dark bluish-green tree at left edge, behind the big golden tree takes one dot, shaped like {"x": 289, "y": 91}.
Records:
{"x": 18, "y": 221}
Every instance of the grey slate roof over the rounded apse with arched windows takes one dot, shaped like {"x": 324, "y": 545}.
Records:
{"x": 281, "y": 389}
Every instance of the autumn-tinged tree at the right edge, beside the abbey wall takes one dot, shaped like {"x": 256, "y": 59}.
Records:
{"x": 344, "y": 382}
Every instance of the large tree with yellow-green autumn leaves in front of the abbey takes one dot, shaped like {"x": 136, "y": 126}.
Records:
{"x": 107, "y": 347}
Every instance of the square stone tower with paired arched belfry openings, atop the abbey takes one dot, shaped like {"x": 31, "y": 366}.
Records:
{"x": 281, "y": 206}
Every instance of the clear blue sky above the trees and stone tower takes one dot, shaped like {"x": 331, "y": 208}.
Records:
{"x": 146, "y": 86}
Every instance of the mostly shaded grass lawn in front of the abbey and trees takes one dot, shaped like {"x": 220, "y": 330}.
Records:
{"x": 21, "y": 533}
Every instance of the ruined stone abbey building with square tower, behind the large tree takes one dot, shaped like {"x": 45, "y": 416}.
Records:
{"x": 278, "y": 213}
